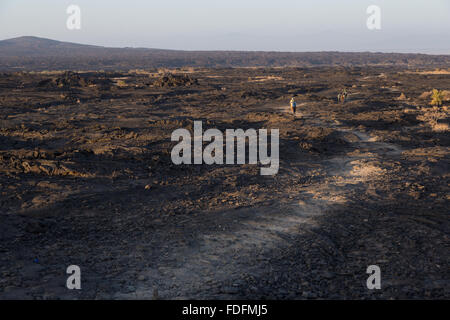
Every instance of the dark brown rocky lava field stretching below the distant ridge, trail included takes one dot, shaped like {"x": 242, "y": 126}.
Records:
{"x": 86, "y": 178}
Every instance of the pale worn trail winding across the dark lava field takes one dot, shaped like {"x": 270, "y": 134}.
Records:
{"x": 216, "y": 265}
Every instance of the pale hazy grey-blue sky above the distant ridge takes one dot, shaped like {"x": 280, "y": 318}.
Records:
{"x": 278, "y": 25}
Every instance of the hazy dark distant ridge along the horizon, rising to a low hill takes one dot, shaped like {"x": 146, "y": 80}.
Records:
{"x": 33, "y": 53}
